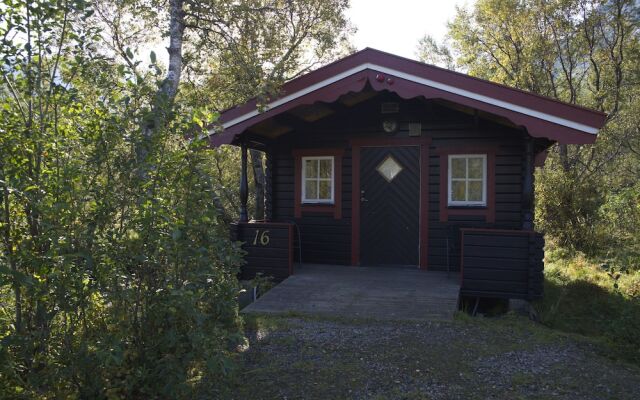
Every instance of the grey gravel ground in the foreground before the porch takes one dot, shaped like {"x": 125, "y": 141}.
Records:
{"x": 507, "y": 358}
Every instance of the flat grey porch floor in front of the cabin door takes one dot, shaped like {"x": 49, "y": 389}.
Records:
{"x": 363, "y": 292}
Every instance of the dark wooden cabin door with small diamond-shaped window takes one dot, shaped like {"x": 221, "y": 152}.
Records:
{"x": 390, "y": 205}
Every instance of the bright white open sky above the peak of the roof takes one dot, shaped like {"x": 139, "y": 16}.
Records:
{"x": 396, "y": 26}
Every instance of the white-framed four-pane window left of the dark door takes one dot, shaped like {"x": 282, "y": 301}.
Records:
{"x": 317, "y": 179}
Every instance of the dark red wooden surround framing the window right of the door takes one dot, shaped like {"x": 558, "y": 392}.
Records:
{"x": 489, "y": 212}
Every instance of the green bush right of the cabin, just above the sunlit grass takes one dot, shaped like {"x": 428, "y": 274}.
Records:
{"x": 585, "y": 214}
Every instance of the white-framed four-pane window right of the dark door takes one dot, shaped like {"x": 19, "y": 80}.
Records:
{"x": 468, "y": 180}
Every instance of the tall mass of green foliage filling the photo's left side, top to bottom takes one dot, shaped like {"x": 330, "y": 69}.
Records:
{"x": 117, "y": 286}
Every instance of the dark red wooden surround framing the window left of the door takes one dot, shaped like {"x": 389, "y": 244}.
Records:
{"x": 336, "y": 207}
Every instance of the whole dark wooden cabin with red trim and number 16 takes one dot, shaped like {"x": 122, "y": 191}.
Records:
{"x": 378, "y": 160}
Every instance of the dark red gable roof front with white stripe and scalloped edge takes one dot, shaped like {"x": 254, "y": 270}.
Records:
{"x": 541, "y": 116}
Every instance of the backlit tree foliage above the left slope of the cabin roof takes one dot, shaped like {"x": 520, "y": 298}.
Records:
{"x": 258, "y": 45}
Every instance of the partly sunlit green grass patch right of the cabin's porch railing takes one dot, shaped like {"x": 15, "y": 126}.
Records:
{"x": 580, "y": 297}
